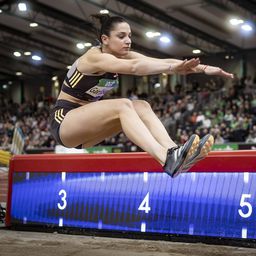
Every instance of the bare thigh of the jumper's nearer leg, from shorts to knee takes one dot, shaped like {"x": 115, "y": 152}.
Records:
{"x": 92, "y": 122}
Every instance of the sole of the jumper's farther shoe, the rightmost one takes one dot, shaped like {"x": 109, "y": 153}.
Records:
{"x": 204, "y": 148}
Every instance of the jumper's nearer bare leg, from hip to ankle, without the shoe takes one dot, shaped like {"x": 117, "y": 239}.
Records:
{"x": 98, "y": 120}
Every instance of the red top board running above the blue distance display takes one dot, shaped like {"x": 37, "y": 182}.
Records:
{"x": 216, "y": 161}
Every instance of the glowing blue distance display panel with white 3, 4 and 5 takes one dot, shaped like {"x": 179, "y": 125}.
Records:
{"x": 204, "y": 204}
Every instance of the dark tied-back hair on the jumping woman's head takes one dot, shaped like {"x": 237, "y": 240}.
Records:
{"x": 107, "y": 23}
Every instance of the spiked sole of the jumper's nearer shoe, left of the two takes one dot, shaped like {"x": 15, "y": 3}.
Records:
{"x": 192, "y": 146}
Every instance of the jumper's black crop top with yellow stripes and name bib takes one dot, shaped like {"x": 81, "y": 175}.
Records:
{"x": 88, "y": 87}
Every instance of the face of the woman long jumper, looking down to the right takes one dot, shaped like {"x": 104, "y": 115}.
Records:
{"x": 118, "y": 42}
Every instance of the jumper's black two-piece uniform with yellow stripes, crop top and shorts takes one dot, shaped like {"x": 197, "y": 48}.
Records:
{"x": 84, "y": 87}
